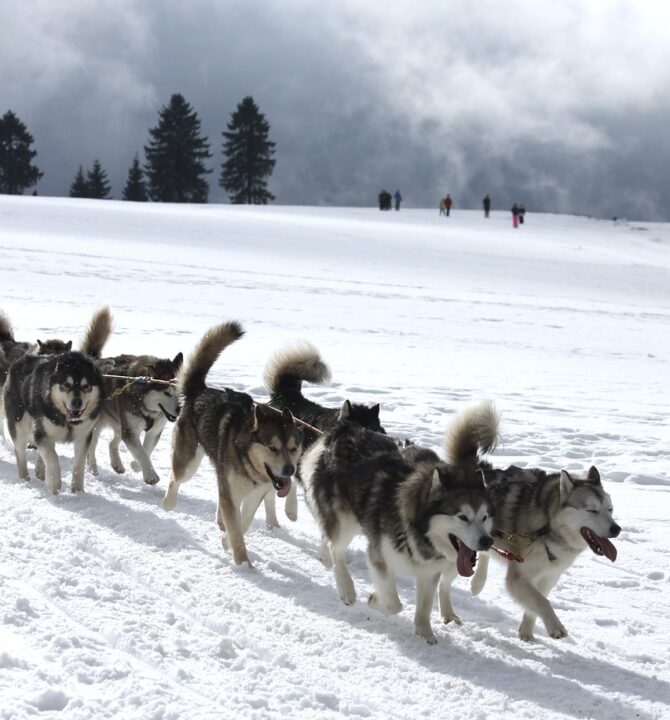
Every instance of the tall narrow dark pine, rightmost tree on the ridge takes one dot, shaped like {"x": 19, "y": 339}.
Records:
{"x": 249, "y": 163}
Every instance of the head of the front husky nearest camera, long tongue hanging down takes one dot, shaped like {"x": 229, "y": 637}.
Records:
{"x": 459, "y": 516}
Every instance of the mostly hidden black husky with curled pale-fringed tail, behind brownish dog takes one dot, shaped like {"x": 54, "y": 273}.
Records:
{"x": 284, "y": 374}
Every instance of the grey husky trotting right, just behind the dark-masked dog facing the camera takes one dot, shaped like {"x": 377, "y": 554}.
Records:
{"x": 136, "y": 407}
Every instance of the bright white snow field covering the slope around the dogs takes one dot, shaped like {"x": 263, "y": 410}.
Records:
{"x": 111, "y": 607}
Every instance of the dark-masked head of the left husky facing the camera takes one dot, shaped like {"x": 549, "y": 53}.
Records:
{"x": 76, "y": 388}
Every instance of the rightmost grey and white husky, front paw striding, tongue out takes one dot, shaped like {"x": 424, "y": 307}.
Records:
{"x": 543, "y": 521}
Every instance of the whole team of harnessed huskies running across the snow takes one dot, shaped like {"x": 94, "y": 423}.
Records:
{"x": 421, "y": 515}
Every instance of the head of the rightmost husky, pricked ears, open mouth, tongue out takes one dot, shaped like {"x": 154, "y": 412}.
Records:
{"x": 587, "y": 511}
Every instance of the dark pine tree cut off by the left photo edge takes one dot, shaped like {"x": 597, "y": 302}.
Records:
{"x": 16, "y": 169}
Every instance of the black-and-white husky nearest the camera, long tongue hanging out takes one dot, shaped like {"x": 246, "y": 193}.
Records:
{"x": 420, "y": 515}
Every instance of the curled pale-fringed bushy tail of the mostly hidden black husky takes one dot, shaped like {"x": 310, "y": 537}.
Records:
{"x": 287, "y": 369}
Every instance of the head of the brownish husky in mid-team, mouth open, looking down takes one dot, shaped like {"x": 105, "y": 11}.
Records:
{"x": 276, "y": 446}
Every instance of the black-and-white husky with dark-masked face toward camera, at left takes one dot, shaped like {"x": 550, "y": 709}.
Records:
{"x": 57, "y": 398}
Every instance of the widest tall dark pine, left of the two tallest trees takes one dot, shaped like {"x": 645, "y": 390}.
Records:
{"x": 174, "y": 157}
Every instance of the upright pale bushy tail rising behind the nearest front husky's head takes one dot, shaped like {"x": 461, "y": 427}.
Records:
{"x": 472, "y": 433}
